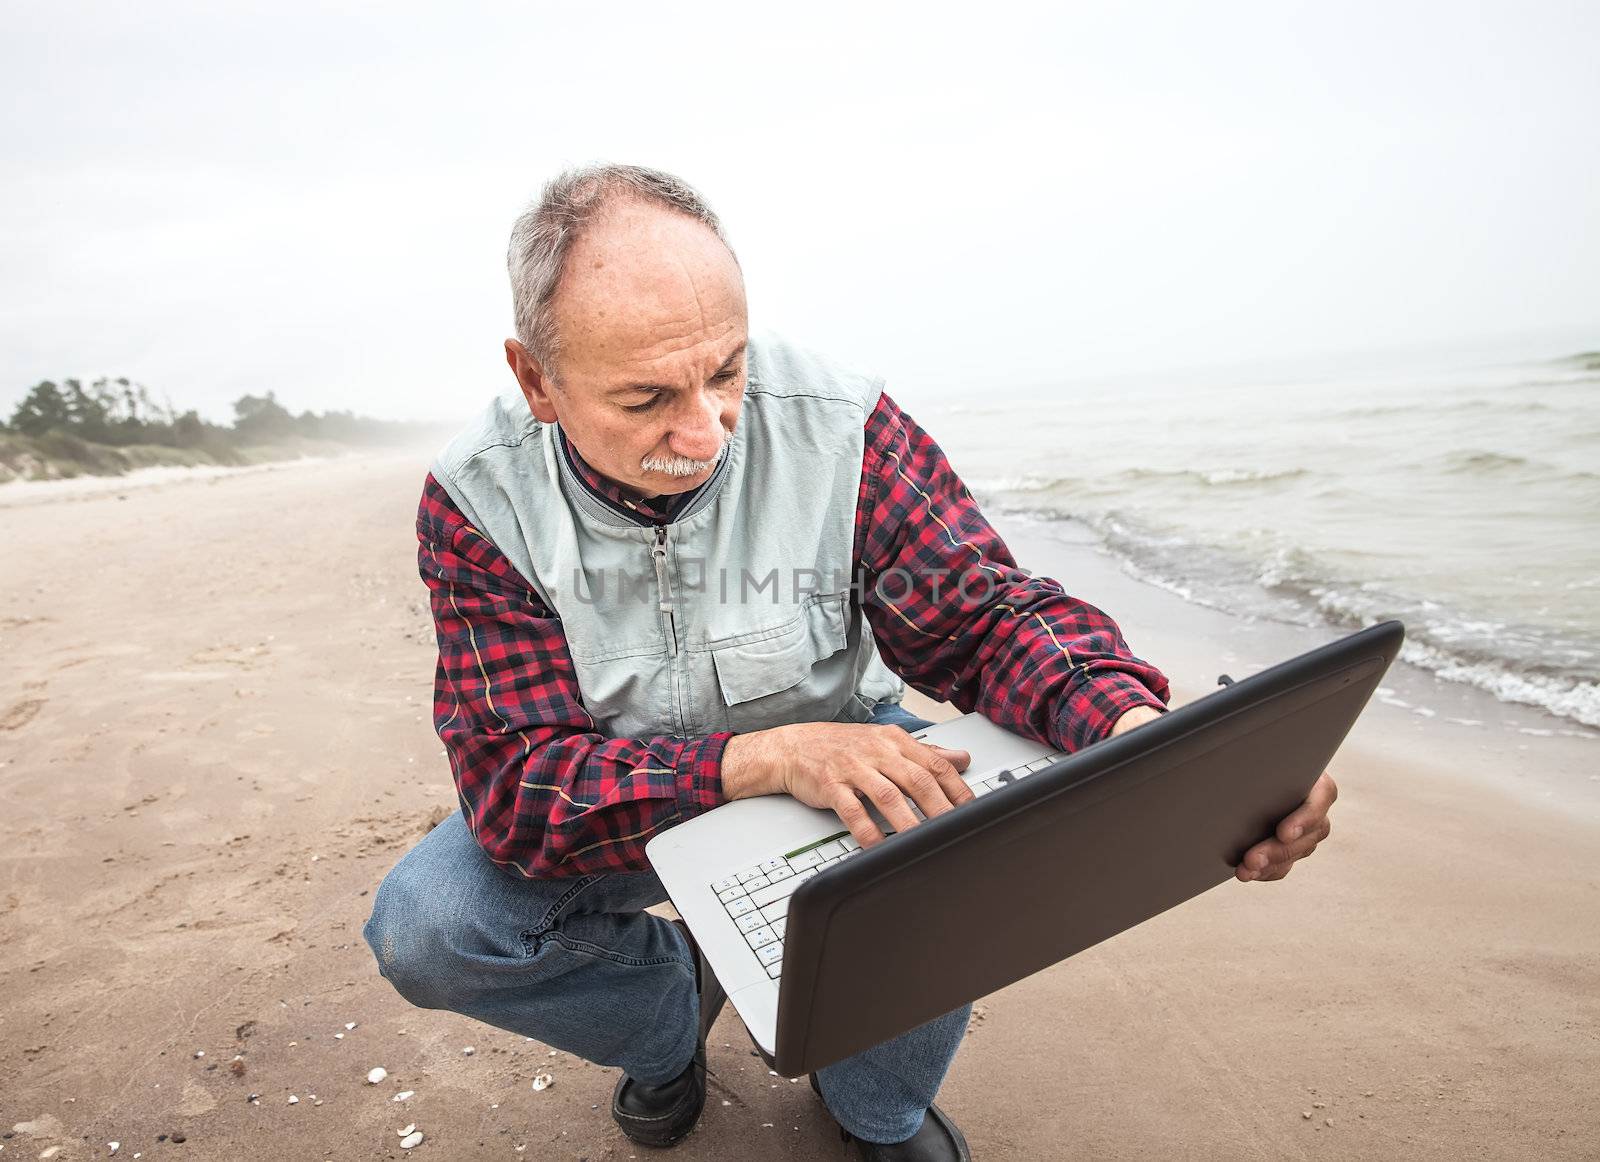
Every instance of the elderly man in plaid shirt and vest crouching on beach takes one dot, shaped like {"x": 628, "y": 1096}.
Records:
{"x": 607, "y": 670}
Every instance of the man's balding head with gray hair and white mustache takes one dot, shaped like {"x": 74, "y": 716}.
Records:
{"x": 631, "y": 327}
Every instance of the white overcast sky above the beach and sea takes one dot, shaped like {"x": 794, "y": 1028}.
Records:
{"x": 223, "y": 198}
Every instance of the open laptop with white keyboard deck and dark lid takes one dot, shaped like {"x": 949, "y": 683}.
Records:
{"x": 826, "y": 950}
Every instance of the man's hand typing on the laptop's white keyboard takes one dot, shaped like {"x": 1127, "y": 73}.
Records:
{"x": 836, "y": 766}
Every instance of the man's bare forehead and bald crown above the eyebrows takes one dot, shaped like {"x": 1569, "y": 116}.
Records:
{"x": 647, "y": 287}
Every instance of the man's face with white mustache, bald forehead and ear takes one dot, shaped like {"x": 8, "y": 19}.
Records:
{"x": 650, "y": 374}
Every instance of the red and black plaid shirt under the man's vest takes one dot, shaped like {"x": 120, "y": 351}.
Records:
{"x": 548, "y": 795}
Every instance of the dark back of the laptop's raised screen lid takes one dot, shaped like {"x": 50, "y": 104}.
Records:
{"x": 1022, "y": 880}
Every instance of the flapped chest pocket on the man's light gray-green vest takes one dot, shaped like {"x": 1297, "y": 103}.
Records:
{"x": 783, "y": 676}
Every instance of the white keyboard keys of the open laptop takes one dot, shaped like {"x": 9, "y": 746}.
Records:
{"x": 758, "y": 899}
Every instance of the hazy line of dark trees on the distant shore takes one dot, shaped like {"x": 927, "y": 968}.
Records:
{"x": 121, "y": 414}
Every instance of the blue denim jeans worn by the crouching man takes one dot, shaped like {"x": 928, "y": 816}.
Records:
{"x": 578, "y": 964}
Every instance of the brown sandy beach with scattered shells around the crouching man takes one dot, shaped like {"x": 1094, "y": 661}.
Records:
{"x": 215, "y": 742}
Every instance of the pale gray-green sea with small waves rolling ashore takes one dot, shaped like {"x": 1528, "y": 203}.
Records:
{"x": 1458, "y": 497}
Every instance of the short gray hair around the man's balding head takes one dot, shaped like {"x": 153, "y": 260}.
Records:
{"x": 550, "y": 226}
